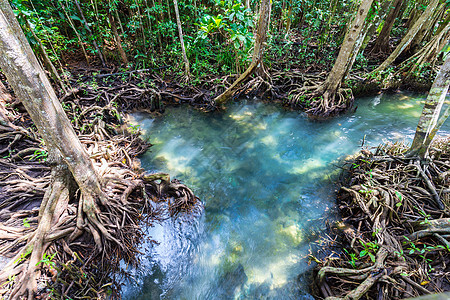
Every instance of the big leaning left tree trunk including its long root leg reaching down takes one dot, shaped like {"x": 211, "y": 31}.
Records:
{"x": 32, "y": 87}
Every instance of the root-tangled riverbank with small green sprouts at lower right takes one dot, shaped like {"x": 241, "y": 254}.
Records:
{"x": 392, "y": 240}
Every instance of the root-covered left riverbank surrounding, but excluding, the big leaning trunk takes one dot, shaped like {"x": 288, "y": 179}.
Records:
{"x": 80, "y": 261}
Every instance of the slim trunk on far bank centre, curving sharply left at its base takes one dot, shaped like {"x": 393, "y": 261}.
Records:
{"x": 258, "y": 51}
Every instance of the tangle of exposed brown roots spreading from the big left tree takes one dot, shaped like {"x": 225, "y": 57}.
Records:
{"x": 76, "y": 240}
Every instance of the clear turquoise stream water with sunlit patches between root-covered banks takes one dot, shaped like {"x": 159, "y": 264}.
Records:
{"x": 265, "y": 176}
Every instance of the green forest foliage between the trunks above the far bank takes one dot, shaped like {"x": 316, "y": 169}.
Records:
{"x": 218, "y": 34}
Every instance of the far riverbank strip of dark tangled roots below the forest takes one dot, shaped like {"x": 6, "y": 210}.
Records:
{"x": 151, "y": 91}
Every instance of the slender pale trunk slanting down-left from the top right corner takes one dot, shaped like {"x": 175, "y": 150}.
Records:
{"x": 409, "y": 36}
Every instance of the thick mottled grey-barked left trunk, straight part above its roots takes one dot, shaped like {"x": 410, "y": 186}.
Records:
{"x": 37, "y": 95}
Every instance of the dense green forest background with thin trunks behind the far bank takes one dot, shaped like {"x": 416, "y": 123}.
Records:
{"x": 218, "y": 39}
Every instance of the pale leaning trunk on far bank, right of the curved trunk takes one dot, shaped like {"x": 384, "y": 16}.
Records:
{"x": 349, "y": 49}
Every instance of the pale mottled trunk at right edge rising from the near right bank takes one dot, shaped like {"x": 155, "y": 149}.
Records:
{"x": 429, "y": 121}
